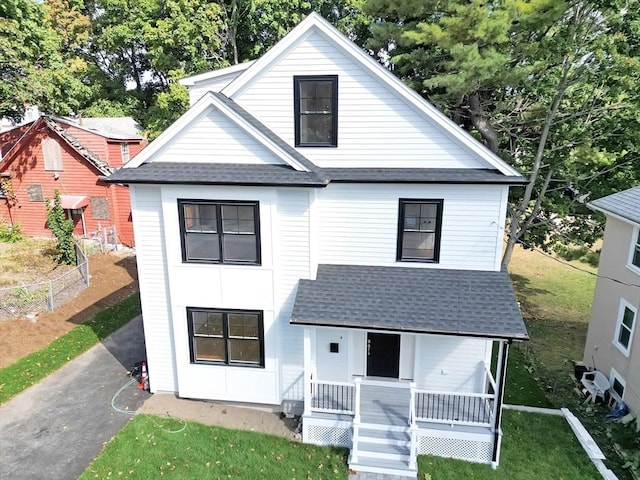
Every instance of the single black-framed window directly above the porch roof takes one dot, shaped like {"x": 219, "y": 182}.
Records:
{"x": 419, "y": 229}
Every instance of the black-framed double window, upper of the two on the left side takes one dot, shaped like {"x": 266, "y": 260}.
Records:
{"x": 220, "y": 231}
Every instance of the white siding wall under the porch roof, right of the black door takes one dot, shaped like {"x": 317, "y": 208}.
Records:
{"x": 451, "y": 364}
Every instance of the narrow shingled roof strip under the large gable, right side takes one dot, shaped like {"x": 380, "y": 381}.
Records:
{"x": 421, "y": 175}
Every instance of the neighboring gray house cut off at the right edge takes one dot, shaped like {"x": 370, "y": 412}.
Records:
{"x": 613, "y": 341}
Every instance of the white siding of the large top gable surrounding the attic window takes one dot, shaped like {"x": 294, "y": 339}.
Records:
{"x": 376, "y": 128}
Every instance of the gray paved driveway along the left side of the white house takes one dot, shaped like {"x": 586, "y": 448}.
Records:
{"x": 57, "y": 427}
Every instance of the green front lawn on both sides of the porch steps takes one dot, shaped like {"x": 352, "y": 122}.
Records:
{"x": 534, "y": 447}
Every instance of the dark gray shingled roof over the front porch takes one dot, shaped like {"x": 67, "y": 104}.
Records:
{"x": 421, "y": 300}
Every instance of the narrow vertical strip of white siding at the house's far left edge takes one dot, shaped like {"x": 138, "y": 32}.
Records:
{"x": 154, "y": 287}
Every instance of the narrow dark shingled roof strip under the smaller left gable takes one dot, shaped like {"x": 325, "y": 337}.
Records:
{"x": 215, "y": 174}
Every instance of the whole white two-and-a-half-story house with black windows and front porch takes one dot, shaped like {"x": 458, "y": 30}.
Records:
{"x": 315, "y": 236}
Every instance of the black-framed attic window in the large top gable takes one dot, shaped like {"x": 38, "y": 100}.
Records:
{"x": 316, "y": 110}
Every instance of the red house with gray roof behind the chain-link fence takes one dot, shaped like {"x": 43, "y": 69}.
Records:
{"x": 71, "y": 156}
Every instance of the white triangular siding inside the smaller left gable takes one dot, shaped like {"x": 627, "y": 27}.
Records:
{"x": 213, "y": 138}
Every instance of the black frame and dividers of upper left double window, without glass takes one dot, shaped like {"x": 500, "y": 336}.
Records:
{"x": 219, "y": 231}
